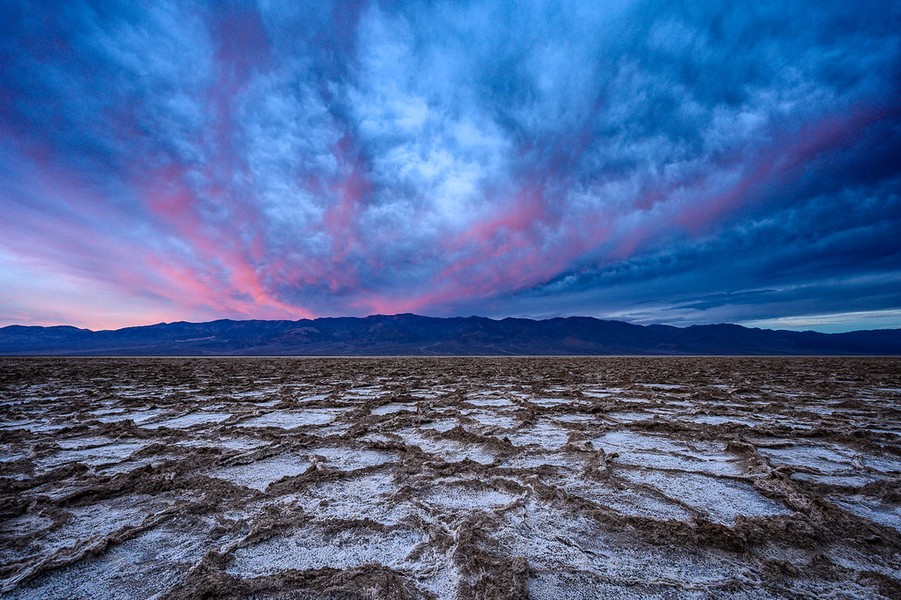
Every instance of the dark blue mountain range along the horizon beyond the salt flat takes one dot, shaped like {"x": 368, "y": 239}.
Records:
{"x": 409, "y": 334}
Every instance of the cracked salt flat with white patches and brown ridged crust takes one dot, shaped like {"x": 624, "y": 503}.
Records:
{"x": 450, "y": 477}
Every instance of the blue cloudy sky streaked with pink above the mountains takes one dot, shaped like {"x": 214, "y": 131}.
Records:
{"x": 652, "y": 161}
